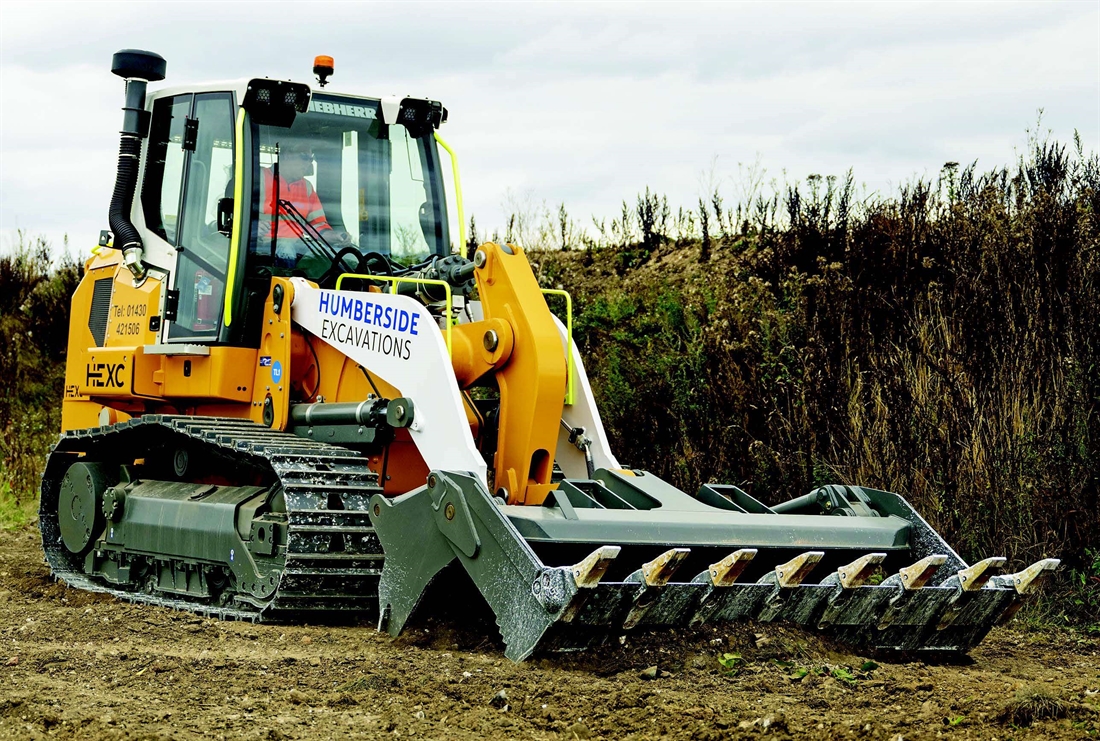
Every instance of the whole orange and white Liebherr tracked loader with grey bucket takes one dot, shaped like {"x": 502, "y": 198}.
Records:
{"x": 288, "y": 397}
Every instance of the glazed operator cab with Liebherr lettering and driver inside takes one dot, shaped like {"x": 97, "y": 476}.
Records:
{"x": 336, "y": 186}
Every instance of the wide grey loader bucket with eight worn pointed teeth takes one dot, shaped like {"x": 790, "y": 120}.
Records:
{"x": 626, "y": 551}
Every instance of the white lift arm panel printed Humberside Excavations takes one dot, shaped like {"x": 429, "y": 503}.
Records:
{"x": 398, "y": 339}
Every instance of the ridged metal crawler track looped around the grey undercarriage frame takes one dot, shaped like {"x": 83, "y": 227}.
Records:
{"x": 334, "y": 559}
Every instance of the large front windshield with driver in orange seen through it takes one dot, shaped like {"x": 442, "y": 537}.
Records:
{"x": 339, "y": 179}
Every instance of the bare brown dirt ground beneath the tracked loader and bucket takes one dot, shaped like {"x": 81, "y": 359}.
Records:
{"x": 80, "y": 666}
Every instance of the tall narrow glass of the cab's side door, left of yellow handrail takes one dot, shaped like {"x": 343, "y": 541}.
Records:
{"x": 202, "y": 267}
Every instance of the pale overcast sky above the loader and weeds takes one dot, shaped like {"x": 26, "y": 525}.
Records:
{"x": 582, "y": 104}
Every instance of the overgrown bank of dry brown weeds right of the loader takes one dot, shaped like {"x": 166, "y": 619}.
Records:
{"x": 942, "y": 345}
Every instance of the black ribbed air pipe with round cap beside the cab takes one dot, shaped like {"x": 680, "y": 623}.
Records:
{"x": 139, "y": 69}
